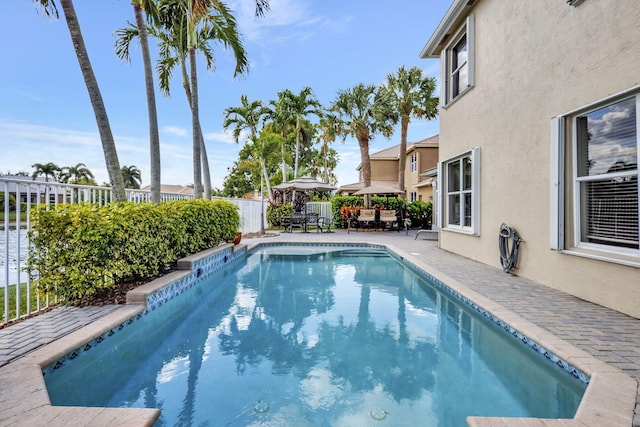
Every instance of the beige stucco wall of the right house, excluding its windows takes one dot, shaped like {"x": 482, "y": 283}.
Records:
{"x": 535, "y": 60}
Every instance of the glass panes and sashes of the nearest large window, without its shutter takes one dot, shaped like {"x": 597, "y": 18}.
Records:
{"x": 607, "y": 174}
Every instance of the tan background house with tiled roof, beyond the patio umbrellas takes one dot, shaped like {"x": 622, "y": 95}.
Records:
{"x": 421, "y": 157}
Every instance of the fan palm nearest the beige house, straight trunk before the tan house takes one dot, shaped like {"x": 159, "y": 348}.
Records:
{"x": 413, "y": 96}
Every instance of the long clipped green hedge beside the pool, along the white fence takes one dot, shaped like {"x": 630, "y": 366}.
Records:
{"x": 79, "y": 249}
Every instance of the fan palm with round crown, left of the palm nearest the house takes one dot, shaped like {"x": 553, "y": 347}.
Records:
{"x": 362, "y": 112}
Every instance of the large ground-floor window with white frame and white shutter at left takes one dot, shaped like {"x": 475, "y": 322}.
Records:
{"x": 603, "y": 157}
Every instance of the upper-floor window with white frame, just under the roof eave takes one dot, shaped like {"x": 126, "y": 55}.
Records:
{"x": 458, "y": 64}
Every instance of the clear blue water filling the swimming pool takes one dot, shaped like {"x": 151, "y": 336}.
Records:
{"x": 301, "y": 336}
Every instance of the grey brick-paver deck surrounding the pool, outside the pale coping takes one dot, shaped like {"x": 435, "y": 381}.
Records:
{"x": 609, "y": 336}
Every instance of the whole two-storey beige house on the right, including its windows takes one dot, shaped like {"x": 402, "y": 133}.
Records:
{"x": 540, "y": 103}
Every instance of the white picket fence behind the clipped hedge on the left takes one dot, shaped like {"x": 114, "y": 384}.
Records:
{"x": 19, "y": 194}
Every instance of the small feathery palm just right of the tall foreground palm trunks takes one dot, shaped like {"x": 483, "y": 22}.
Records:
{"x": 249, "y": 117}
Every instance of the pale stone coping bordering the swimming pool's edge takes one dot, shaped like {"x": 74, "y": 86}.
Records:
{"x": 609, "y": 399}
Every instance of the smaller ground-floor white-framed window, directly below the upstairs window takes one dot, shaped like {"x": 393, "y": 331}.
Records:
{"x": 461, "y": 176}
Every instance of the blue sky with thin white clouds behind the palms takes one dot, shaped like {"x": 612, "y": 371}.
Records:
{"x": 331, "y": 45}
